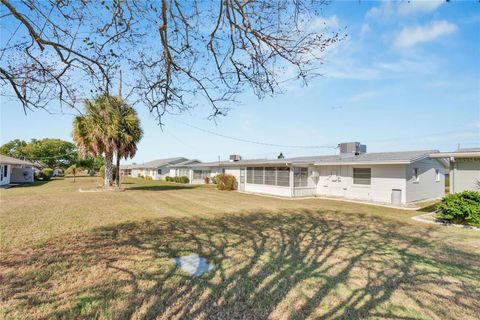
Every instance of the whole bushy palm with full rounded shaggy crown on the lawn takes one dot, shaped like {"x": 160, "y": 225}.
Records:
{"x": 108, "y": 126}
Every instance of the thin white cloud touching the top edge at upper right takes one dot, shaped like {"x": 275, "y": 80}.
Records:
{"x": 389, "y": 9}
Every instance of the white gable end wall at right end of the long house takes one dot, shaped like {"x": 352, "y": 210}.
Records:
{"x": 426, "y": 187}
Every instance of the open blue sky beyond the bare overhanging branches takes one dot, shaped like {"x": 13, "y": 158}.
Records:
{"x": 406, "y": 78}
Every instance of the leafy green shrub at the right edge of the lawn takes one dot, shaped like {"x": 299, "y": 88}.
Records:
{"x": 463, "y": 208}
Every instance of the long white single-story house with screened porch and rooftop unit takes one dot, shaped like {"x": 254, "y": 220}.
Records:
{"x": 398, "y": 178}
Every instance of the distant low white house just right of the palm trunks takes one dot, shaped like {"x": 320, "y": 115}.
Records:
{"x": 157, "y": 169}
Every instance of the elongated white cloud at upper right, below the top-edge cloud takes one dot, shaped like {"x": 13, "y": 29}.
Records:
{"x": 410, "y": 36}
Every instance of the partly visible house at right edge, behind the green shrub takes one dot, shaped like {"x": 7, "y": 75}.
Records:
{"x": 464, "y": 168}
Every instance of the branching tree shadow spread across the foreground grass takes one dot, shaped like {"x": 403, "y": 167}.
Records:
{"x": 289, "y": 265}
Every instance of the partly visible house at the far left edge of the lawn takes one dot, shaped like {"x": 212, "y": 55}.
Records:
{"x": 15, "y": 171}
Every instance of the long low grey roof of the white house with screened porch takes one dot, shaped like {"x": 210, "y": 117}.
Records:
{"x": 402, "y": 157}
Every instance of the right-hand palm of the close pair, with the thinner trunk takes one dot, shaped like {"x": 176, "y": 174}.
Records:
{"x": 128, "y": 133}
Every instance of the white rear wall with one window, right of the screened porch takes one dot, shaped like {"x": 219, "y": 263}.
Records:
{"x": 337, "y": 181}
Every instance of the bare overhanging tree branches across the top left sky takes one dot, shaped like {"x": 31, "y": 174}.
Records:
{"x": 172, "y": 51}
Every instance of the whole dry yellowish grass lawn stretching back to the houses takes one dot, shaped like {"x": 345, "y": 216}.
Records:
{"x": 66, "y": 254}
